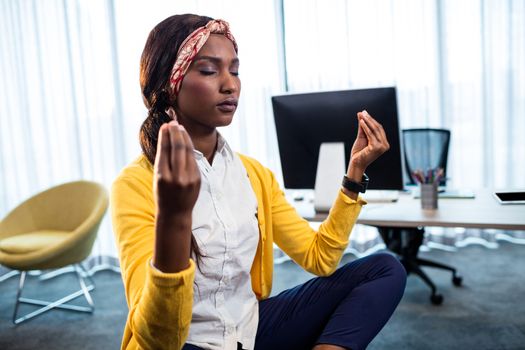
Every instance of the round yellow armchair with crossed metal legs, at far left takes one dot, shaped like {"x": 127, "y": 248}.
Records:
{"x": 53, "y": 229}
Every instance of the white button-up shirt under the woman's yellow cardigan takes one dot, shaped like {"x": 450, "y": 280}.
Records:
{"x": 224, "y": 223}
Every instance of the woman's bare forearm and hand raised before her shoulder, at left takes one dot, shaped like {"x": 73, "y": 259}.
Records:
{"x": 176, "y": 186}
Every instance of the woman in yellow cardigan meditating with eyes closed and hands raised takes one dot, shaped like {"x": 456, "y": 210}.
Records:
{"x": 195, "y": 222}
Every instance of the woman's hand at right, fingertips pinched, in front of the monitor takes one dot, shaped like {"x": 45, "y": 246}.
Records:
{"x": 370, "y": 143}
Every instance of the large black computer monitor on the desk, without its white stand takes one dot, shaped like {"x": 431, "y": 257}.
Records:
{"x": 304, "y": 121}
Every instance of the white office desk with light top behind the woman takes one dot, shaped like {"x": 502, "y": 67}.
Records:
{"x": 483, "y": 212}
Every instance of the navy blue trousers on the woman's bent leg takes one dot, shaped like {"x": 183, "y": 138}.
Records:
{"x": 347, "y": 308}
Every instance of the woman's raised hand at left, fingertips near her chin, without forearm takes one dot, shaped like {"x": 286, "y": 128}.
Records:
{"x": 176, "y": 174}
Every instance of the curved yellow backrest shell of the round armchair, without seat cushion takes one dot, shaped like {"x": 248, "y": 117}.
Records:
{"x": 75, "y": 207}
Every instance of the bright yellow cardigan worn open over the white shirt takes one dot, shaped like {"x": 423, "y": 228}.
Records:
{"x": 160, "y": 304}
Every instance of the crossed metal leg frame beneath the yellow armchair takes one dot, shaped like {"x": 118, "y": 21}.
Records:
{"x": 60, "y": 303}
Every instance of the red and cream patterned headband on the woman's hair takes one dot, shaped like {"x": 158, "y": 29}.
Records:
{"x": 191, "y": 46}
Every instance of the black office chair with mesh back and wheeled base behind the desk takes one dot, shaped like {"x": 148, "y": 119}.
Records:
{"x": 424, "y": 149}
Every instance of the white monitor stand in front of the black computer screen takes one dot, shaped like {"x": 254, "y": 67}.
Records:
{"x": 330, "y": 171}
